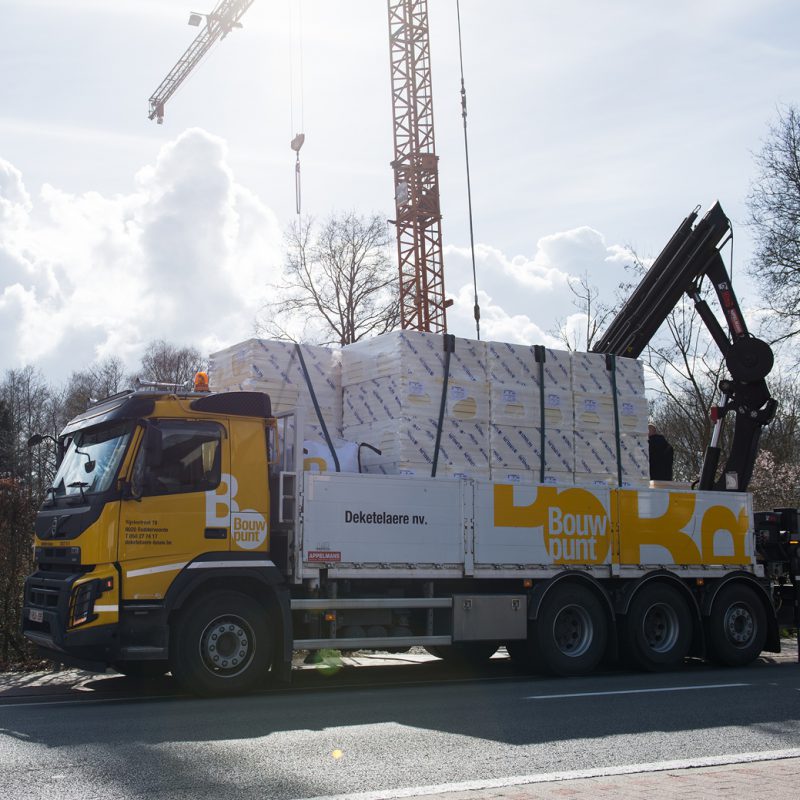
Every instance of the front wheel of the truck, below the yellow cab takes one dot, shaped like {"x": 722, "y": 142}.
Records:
{"x": 222, "y": 645}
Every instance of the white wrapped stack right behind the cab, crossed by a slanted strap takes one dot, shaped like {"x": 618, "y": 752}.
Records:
{"x": 263, "y": 365}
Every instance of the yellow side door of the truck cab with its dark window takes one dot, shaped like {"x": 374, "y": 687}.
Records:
{"x": 180, "y": 463}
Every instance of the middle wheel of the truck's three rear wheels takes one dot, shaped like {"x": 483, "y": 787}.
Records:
{"x": 657, "y": 632}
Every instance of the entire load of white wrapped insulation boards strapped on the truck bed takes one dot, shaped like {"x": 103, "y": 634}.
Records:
{"x": 512, "y": 413}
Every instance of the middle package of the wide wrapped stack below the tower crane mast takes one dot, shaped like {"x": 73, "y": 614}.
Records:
{"x": 406, "y": 397}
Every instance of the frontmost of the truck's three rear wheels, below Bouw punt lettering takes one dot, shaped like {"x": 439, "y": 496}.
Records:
{"x": 570, "y": 633}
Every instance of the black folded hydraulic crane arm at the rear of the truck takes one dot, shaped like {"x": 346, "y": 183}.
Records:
{"x": 691, "y": 254}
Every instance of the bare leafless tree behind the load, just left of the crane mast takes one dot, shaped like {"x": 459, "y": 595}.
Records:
{"x": 340, "y": 284}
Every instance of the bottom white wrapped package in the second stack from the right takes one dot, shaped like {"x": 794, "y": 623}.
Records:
{"x": 517, "y": 448}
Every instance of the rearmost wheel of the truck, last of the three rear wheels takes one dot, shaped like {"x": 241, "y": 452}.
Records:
{"x": 737, "y": 626}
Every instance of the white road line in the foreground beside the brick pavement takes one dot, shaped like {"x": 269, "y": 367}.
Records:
{"x": 551, "y": 777}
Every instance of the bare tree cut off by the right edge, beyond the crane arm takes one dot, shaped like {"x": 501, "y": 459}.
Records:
{"x": 774, "y": 205}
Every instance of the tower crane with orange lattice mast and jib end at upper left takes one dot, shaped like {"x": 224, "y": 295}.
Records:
{"x": 415, "y": 163}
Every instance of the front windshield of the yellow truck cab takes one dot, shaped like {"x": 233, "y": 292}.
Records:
{"x": 91, "y": 460}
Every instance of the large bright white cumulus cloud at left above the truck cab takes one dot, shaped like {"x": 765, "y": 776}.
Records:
{"x": 185, "y": 255}
